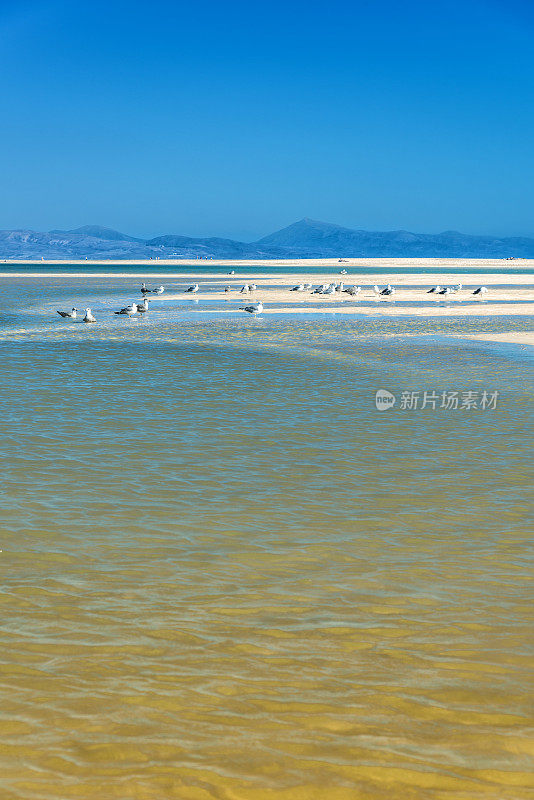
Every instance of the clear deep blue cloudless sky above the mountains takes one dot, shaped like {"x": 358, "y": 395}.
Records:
{"x": 237, "y": 118}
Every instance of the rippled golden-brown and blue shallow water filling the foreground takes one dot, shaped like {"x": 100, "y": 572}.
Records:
{"x": 227, "y": 575}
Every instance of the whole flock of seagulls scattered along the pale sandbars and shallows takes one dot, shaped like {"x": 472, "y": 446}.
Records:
{"x": 256, "y": 307}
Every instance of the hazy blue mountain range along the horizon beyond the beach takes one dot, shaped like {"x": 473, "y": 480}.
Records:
{"x": 304, "y": 239}
